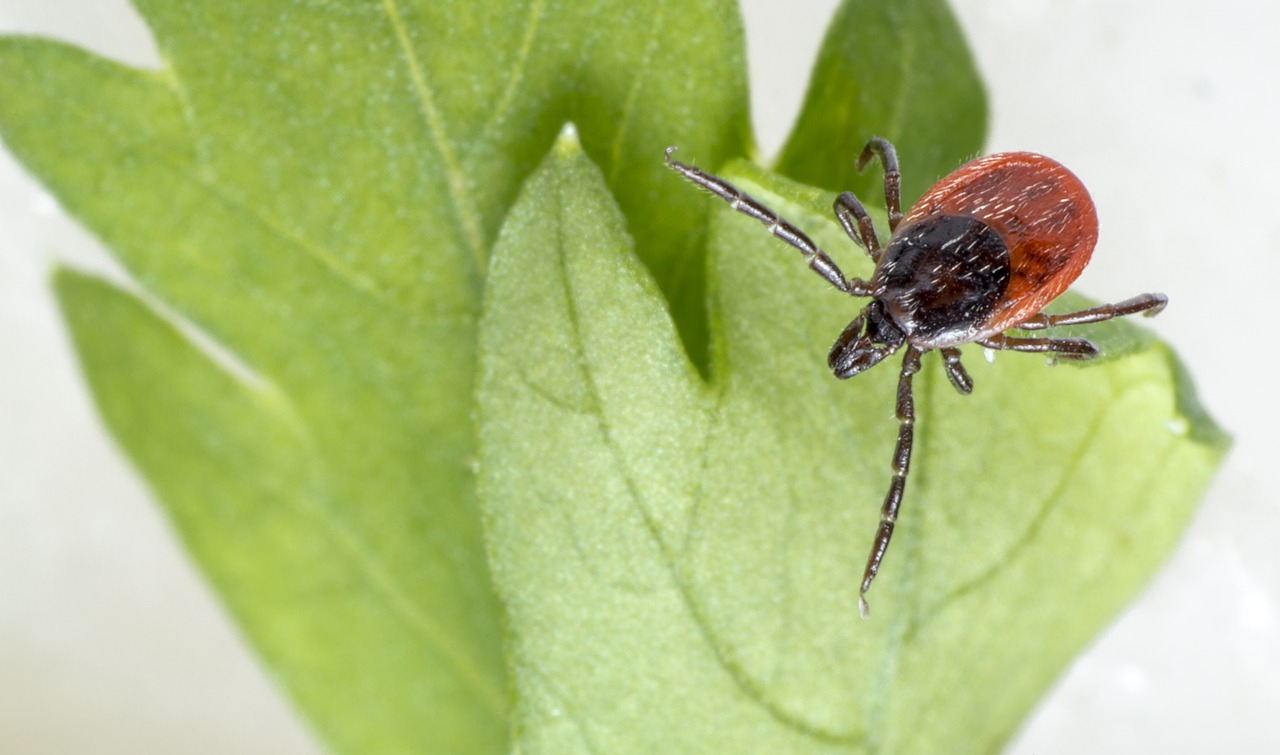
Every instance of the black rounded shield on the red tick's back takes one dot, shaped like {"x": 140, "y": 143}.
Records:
{"x": 941, "y": 278}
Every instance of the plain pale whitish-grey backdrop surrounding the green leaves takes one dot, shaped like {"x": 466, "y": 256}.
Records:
{"x": 111, "y": 642}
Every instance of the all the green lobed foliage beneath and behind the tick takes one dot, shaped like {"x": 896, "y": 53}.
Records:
{"x": 675, "y": 498}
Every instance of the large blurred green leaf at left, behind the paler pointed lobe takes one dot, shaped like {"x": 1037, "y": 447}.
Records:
{"x": 313, "y": 189}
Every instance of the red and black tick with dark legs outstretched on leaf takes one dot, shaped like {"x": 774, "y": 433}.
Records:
{"x": 980, "y": 254}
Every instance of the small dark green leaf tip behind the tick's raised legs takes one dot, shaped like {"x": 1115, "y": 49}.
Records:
{"x": 900, "y": 71}
